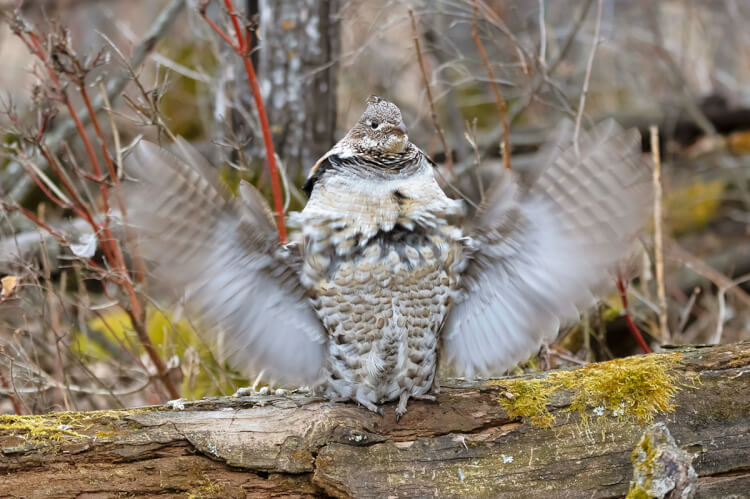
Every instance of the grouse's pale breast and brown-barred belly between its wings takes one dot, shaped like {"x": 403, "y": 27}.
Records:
{"x": 381, "y": 259}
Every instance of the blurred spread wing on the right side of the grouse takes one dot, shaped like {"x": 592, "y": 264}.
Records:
{"x": 541, "y": 250}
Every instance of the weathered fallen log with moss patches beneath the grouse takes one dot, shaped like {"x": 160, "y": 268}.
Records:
{"x": 478, "y": 439}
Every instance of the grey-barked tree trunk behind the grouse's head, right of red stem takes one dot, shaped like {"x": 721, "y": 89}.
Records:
{"x": 298, "y": 69}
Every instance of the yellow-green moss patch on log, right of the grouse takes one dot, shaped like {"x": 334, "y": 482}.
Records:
{"x": 634, "y": 388}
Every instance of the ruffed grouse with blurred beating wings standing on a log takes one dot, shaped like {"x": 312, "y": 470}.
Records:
{"x": 386, "y": 277}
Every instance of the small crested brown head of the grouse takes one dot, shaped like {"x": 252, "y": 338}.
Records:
{"x": 380, "y": 130}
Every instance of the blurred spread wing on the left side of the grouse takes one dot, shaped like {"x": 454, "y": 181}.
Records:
{"x": 226, "y": 259}
